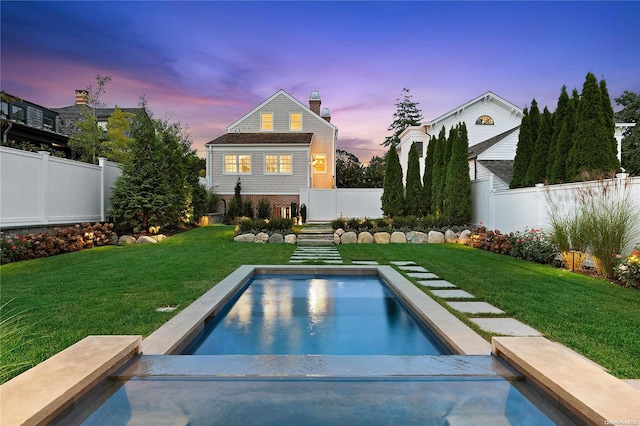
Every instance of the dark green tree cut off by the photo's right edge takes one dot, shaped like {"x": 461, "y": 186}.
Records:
{"x": 631, "y": 142}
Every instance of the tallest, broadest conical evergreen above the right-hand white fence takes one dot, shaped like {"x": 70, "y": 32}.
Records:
{"x": 592, "y": 143}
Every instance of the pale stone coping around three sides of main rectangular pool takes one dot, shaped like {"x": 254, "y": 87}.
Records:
{"x": 173, "y": 336}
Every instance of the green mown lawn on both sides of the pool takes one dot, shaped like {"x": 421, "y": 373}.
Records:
{"x": 116, "y": 290}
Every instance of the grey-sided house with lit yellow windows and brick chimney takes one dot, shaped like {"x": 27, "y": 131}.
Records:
{"x": 276, "y": 150}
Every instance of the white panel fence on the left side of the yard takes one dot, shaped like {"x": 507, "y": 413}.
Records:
{"x": 37, "y": 189}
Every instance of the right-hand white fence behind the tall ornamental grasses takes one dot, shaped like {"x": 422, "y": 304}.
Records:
{"x": 517, "y": 209}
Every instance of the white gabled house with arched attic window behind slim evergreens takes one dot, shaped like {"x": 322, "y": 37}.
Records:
{"x": 492, "y": 125}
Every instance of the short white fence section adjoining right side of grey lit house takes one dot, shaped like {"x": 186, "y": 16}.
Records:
{"x": 324, "y": 205}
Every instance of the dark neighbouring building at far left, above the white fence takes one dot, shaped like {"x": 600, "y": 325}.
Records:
{"x": 24, "y": 122}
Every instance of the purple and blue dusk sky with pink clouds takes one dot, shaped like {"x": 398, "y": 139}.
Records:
{"x": 205, "y": 64}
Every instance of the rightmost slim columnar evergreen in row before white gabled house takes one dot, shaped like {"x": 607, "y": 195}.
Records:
{"x": 457, "y": 198}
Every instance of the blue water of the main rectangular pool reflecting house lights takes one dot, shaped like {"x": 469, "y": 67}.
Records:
{"x": 305, "y": 314}
